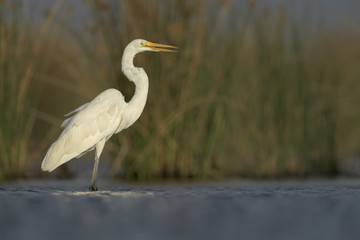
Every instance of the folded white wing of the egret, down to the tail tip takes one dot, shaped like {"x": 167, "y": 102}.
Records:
{"x": 98, "y": 120}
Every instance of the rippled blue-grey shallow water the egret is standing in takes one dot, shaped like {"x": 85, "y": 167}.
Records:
{"x": 236, "y": 210}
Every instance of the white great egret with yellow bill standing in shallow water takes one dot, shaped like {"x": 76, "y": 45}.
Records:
{"x": 95, "y": 122}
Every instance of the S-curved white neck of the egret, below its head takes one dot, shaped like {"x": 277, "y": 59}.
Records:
{"x": 140, "y": 79}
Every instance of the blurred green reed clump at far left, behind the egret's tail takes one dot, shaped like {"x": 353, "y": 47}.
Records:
{"x": 21, "y": 61}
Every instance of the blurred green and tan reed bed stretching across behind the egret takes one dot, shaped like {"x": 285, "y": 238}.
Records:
{"x": 253, "y": 91}
